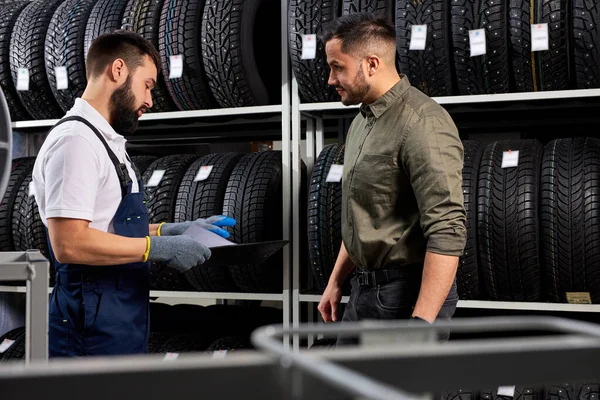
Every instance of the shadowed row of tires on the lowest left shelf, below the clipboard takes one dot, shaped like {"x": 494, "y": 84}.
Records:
{"x": 182, "y": 329}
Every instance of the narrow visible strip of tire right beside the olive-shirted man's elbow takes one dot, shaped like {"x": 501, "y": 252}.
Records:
{"x": 467, "y": 277}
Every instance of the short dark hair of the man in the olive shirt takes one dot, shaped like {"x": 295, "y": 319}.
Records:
{"x": 357, "y": 31}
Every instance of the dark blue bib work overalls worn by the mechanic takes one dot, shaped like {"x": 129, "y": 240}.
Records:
{"x": 96, "y": 310}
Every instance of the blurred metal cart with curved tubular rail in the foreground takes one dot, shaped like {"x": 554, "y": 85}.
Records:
{"x": 403, "y": 370}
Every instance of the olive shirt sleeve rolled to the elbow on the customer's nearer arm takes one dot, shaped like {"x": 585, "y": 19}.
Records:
{"x": 432, "y": 156}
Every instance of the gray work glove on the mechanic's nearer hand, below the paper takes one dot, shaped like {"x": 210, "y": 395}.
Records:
{"x": 179, "y": 252}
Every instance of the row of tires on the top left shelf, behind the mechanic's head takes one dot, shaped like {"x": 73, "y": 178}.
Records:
{"x": 224, "y": 45}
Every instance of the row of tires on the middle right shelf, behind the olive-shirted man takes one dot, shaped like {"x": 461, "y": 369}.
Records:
{"x": 533, "y": 229}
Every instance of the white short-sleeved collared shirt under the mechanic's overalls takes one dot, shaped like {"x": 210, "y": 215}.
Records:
{"x": 73, "y": 176}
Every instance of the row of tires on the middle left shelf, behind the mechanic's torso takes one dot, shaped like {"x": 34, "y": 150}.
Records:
{"x": 246, "y": 187}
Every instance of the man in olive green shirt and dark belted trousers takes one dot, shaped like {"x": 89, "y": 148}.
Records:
{"x": 403, "y": 218}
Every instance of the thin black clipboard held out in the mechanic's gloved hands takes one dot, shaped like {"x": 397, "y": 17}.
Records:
{"x": 248, "y": 253}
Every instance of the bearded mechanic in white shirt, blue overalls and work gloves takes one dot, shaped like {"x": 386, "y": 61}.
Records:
{"x": 91, "y": 200}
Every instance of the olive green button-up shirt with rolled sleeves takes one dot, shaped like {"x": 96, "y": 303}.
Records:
{"x": 402, "y": 182}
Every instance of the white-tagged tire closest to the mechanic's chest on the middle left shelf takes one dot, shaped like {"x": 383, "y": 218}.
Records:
{"x": 160, "y": 201}
